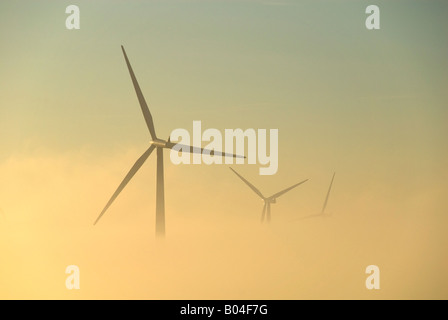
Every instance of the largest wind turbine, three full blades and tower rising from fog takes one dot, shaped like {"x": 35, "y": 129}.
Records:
{"x": 159, "y": 145}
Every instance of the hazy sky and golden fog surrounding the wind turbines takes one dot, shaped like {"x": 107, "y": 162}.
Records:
{"x": 369, "y": 105}
